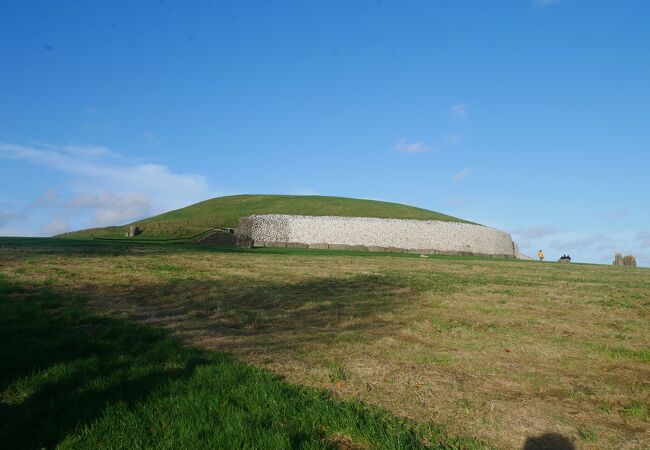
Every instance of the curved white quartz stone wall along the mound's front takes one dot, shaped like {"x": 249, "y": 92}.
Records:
{"x": 426, "y": 236}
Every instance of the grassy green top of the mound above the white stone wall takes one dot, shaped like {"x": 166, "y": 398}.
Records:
{"x": 225, "y": 212}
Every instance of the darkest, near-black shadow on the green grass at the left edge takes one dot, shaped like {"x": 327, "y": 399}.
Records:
{"x": 60, "y": 366}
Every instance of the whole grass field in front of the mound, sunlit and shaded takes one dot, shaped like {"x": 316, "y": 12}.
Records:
{"x": 123, "y": 345}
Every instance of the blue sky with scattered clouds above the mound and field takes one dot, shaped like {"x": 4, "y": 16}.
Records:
{"x": 528, "y": 115}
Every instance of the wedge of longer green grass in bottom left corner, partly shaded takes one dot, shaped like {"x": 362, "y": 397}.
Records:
{"x": 71, "y": 378}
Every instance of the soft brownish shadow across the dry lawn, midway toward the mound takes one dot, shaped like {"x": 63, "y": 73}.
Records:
{"x": 248, "y": 315}
